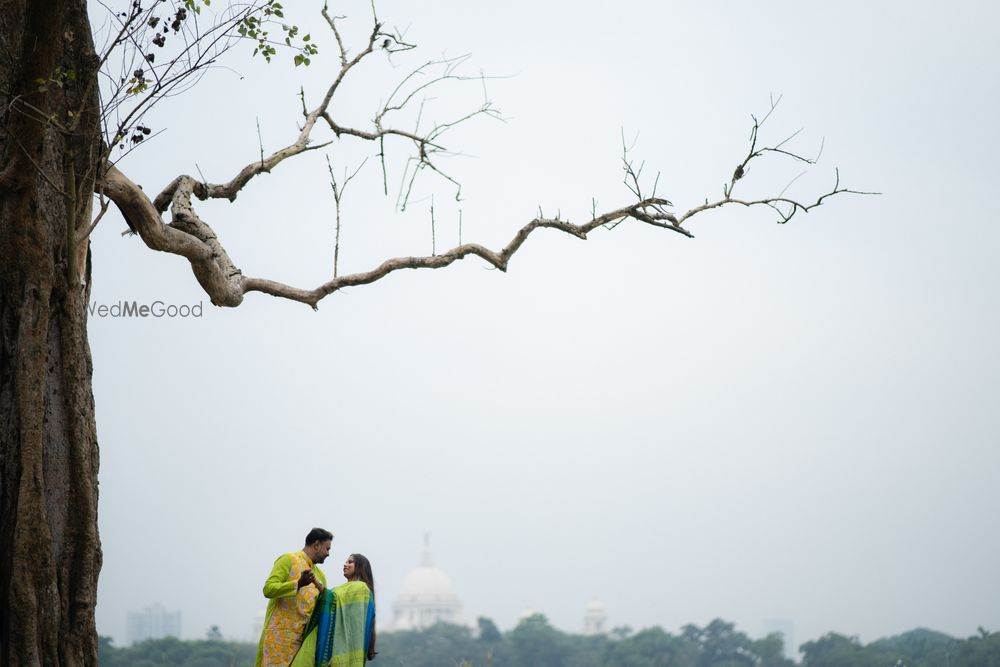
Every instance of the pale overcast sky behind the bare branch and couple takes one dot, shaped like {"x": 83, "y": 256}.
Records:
{"x": 765, "y": 421}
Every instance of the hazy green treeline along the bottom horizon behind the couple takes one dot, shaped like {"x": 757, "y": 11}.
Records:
{"x": 535, "y": 643}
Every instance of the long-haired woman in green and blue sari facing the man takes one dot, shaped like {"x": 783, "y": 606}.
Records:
{"x": 341, "y": 630}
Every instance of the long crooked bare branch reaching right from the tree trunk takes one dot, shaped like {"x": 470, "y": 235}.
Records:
{"x": 188, "y": 236}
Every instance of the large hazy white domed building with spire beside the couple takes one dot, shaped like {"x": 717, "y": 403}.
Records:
{"x": 427, "y": 597}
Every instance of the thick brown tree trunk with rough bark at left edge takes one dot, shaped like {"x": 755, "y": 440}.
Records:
{"x": 50, "y": 553}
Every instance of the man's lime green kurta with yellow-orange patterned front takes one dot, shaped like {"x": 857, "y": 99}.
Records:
{"x": 288, "y": 609}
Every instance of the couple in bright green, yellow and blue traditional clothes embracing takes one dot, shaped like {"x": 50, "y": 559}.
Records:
{"x": 310, "y": 625}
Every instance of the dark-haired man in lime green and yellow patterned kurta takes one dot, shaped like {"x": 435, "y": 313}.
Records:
{"x": 291, "y": 590}
